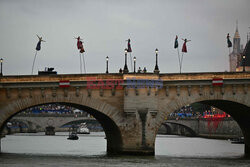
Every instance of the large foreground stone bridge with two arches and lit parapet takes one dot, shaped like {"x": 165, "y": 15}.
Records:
{"x": 130, "y": 112}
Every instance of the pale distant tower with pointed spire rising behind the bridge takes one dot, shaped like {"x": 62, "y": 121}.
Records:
{"x": 235, "y": 57}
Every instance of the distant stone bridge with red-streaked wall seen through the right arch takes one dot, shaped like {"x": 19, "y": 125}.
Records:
{"x": 210, "y": 127}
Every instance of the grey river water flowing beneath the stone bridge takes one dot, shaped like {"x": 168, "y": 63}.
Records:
{"x": 25, "y": 150}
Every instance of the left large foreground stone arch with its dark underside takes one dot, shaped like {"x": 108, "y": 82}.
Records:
{"x": 106, "y": 114}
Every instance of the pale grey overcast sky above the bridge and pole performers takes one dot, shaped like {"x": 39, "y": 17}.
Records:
{"x": 105, "y": 25}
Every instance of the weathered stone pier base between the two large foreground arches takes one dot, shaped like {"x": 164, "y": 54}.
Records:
{"x": 139, "y": 133}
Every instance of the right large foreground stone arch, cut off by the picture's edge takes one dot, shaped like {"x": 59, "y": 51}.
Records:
{"x": 238, "y": 108}
